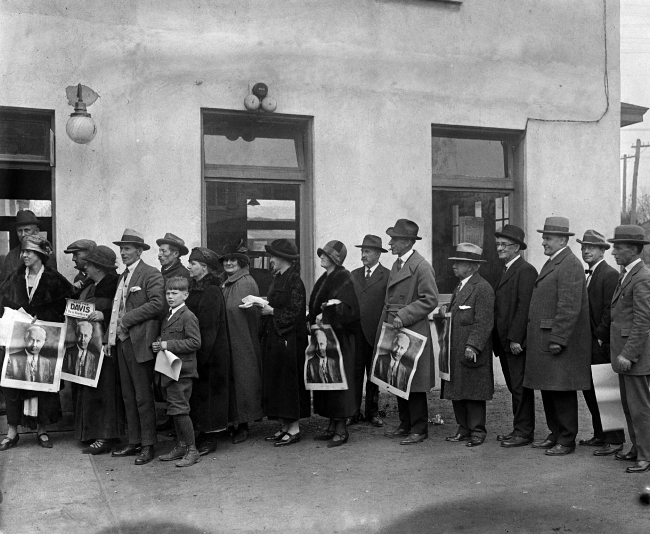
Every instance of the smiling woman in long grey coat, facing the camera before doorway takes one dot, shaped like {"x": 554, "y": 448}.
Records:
{"x": 243, "y": 332}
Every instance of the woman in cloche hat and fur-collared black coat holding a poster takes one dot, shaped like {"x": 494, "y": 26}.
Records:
{"x": 334, "y": 302}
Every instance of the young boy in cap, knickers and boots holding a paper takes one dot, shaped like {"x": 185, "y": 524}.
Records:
{"x": 180, "y": 335}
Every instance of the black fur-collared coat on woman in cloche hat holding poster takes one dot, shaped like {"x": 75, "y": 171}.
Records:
{"x": 344, "y": 320}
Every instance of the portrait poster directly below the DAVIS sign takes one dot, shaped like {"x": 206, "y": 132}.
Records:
{"x": 84, "y": 353}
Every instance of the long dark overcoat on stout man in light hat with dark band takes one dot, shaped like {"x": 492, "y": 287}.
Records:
{"x": 559, "y": 313}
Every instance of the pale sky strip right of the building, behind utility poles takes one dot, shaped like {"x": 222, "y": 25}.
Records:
{"x": 635, "y": 83}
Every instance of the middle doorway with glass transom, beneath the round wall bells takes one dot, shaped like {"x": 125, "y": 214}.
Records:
{"x": 256, "y": 185}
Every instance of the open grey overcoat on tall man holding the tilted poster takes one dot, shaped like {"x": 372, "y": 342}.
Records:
{"x": 412, "y": 294}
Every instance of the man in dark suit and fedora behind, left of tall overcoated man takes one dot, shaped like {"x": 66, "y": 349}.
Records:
{"x": 370, "y": 284}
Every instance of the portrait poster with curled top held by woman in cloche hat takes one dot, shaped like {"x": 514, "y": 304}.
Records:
{"x": 324, "y": 361}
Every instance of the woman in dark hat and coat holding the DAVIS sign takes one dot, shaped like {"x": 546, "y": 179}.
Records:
{"x": 99, "y": 412}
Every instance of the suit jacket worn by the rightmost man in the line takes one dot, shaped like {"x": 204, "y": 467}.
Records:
{"x": 630, "y": 325}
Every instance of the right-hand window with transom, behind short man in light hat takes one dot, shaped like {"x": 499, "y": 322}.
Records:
{"x": 475, "y": 183}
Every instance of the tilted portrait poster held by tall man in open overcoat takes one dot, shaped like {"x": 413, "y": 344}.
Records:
{"x": 396, "y": 359}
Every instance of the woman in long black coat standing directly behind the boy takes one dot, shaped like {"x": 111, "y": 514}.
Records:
{"x": 209, "y": 401}
